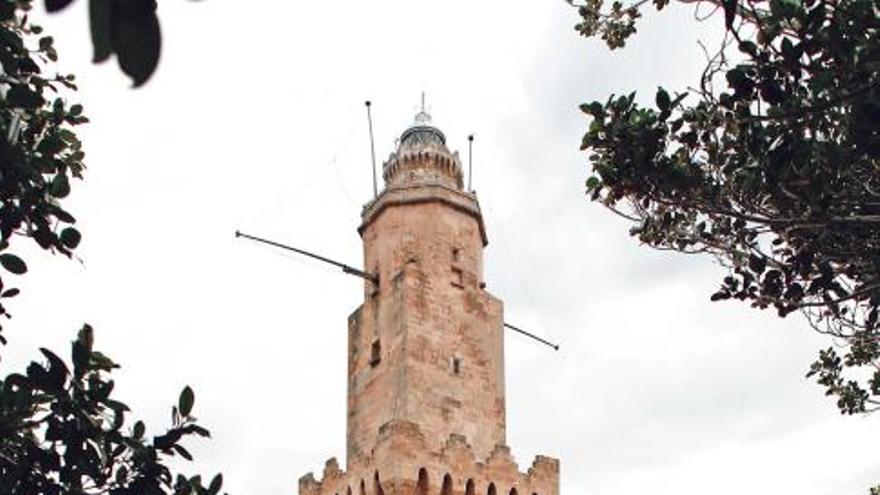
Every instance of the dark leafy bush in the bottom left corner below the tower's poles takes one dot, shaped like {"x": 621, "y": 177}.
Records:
{"x": 63, "y": 432}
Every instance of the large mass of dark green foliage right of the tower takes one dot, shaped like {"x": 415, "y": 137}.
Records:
{"x": 771, "y": 164}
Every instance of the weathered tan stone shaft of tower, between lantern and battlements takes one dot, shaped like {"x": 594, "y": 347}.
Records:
{"x": 438, "y": 333}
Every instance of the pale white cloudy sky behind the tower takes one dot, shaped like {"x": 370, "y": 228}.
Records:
{"x": 255, "y": 121}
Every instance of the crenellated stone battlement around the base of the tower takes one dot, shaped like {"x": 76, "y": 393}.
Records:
{"x": 401, "y": 464}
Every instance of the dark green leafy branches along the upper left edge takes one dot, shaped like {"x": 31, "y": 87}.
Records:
{"x": 39, "y": 153}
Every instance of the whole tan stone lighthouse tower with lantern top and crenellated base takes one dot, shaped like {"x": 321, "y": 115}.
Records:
{"x": 426, "y": 409}
